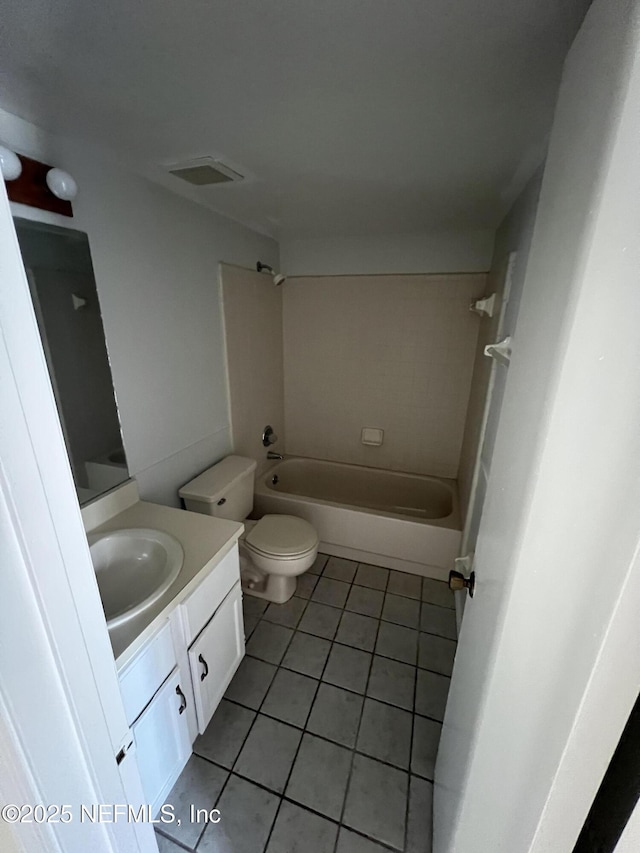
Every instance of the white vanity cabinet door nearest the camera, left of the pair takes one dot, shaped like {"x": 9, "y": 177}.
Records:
{"x": 162, "y": 741}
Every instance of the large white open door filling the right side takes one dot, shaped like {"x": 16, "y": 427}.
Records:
{"x": 546, "y": 671}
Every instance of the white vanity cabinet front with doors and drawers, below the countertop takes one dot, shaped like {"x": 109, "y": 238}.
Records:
{"x": 185, "y": 664}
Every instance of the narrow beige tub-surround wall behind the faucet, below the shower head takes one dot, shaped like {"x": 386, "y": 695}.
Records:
{"x": 253, "y": 333}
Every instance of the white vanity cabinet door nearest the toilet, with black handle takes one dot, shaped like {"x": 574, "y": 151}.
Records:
{"x": 215, "y": 656}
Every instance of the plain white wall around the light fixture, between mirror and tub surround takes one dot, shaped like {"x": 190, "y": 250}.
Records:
{"x": 156, "y": 258}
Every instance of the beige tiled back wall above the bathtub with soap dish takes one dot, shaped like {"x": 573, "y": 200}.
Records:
{"x": 394, "y": 352}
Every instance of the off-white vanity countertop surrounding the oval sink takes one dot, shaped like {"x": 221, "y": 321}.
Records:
{"x": 205, "y": 541}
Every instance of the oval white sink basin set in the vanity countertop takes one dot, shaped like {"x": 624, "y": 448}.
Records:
{"x": 133, "y": 568}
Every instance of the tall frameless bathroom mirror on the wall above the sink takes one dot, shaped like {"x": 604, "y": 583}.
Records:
{"x": 65, "y": 300}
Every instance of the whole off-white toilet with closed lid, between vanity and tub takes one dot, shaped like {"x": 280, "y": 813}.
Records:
{"x": 275, "y": 549}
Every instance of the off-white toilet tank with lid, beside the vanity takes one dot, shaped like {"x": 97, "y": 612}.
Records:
{"x": 225, "y": 490}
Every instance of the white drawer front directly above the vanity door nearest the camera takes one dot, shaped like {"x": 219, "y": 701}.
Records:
{"x": 140, "y": 679}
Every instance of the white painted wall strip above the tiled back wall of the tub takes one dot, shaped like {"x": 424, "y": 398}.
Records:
{"x": 428, "y": 252}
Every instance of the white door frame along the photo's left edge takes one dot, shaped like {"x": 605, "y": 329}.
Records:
{"x": 53, "y": 636}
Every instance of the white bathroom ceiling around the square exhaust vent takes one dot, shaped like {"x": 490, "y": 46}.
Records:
{"x": 348, "y": 117}
